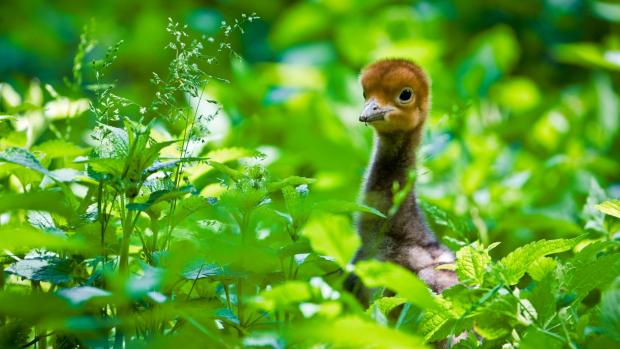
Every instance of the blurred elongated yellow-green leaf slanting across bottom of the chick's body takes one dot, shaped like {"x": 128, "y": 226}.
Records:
{"x": 396, "y": 278}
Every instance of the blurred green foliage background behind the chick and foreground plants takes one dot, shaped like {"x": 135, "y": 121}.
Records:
{"x": 525, "y": 118}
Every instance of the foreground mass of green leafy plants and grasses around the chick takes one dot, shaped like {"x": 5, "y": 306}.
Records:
{"x": 140, "y": 240}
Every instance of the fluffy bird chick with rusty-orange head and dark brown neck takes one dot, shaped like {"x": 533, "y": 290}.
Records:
{"x": 397, "y": 103}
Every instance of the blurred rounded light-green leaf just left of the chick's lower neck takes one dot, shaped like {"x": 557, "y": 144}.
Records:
{"x": 332, "y": 235}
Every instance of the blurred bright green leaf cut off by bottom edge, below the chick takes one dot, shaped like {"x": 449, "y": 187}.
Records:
{"x": 351, "y": 332}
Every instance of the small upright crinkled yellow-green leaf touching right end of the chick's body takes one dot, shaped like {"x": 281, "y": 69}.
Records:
{"x": 471, "y": 264}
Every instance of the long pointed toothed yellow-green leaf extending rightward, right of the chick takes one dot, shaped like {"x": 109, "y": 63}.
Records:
{"x": 514, "y": 265}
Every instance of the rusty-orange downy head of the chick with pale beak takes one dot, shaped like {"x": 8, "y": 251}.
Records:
{"x": 397, "y": 95}
